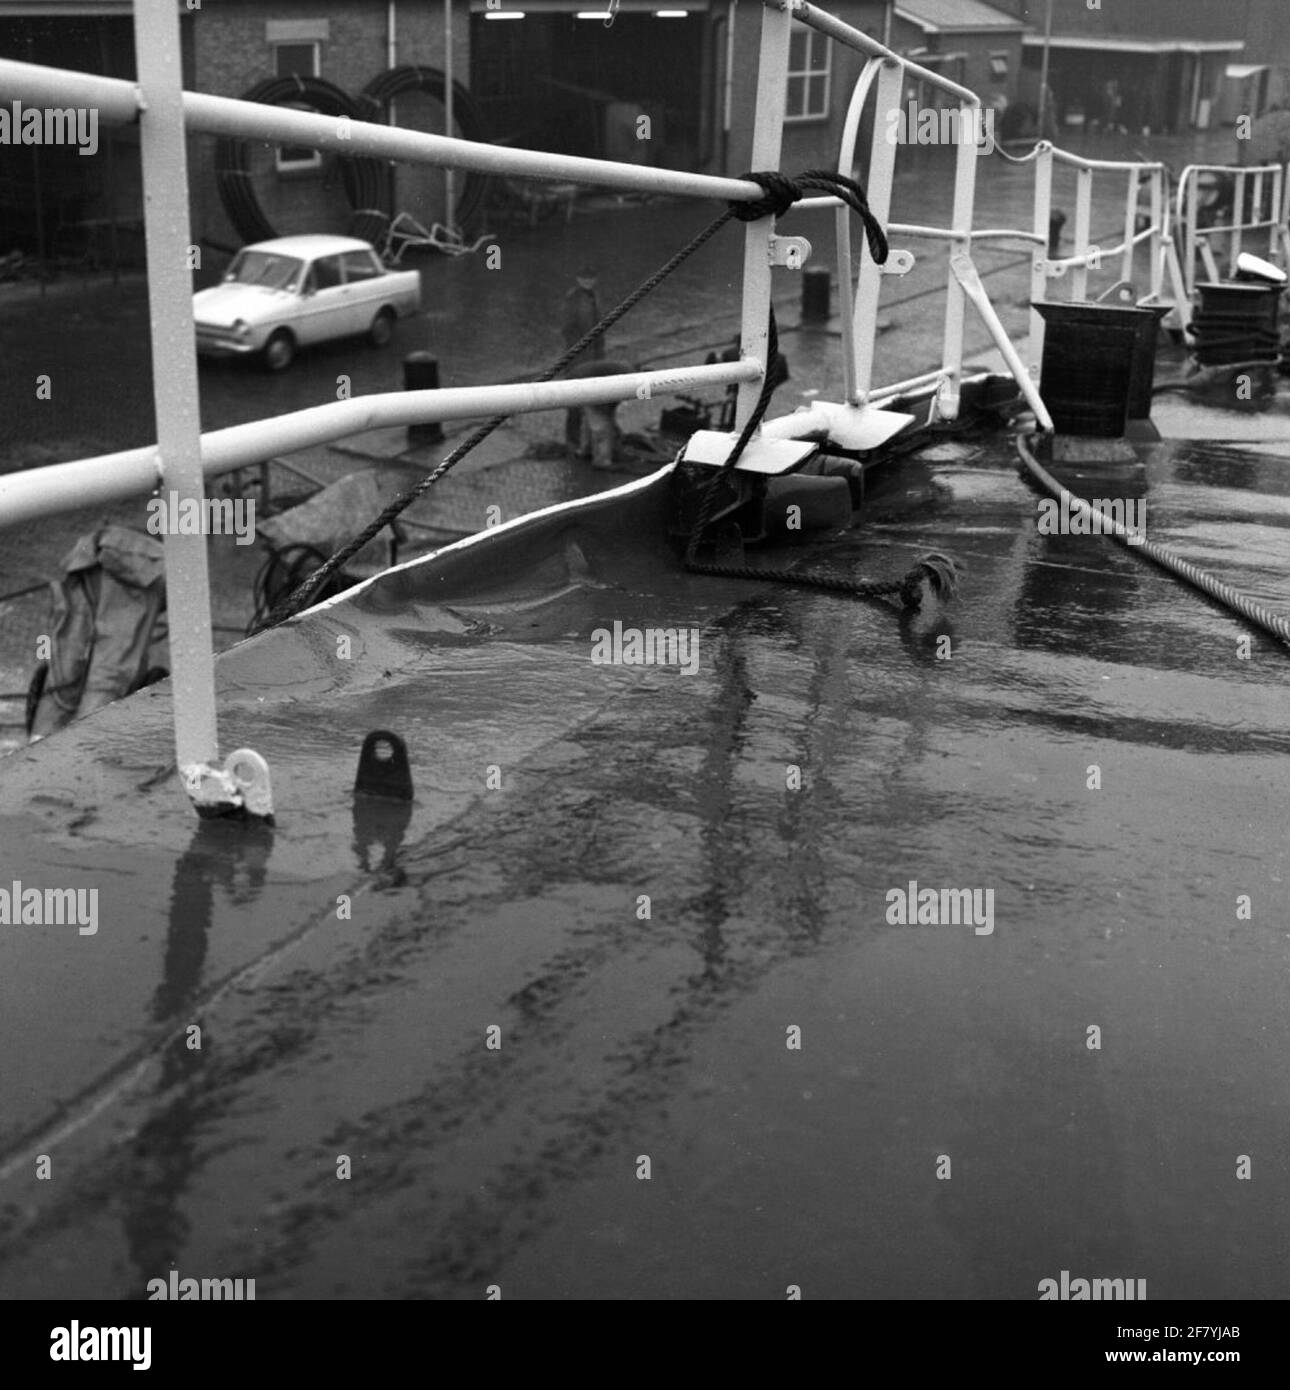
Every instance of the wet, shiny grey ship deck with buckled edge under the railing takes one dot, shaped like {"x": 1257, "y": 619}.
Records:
{"x": 667, "y": 1038}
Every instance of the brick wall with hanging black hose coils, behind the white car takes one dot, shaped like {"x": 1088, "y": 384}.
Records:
{"x": 231, "y": 54}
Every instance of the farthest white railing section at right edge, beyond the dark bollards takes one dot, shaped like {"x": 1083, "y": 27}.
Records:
{"x": 1267, "y": 187}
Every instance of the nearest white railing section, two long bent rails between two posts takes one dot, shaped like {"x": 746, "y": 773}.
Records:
{"x": 183, "y": 457}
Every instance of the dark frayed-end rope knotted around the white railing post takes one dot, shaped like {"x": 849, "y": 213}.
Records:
{"x": 782, "y": 193}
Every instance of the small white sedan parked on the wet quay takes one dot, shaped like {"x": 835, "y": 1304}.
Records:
{"x": 281, "y": 295}
